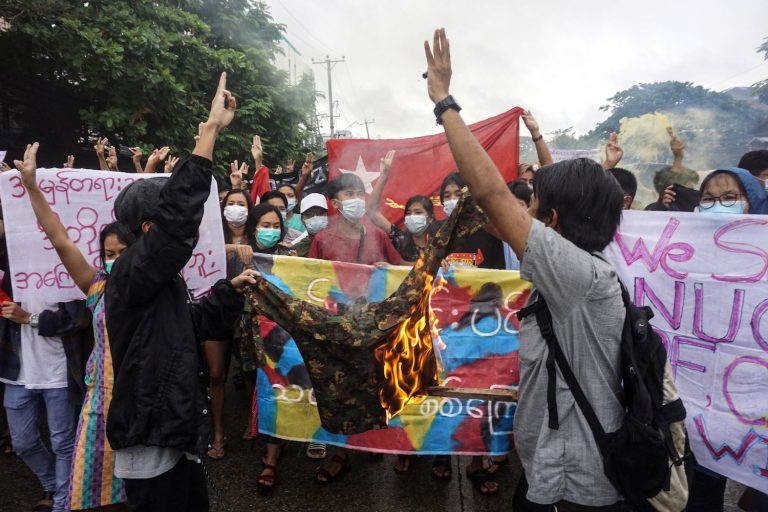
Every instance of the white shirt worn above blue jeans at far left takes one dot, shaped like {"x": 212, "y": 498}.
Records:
{"x": 43, "y": 360}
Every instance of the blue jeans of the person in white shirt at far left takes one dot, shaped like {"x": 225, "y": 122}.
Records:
{"x": 23, "y": 408}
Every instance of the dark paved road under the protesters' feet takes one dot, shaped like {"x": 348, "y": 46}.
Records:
{"x": 372, "y": 485}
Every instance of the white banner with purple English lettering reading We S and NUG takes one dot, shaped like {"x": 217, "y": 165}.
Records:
{"x": 704, "y": 276}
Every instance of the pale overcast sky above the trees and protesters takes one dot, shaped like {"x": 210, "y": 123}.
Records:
{"x": 561, "y": 59}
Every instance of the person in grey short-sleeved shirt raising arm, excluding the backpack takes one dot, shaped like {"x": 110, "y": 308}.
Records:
{"x": 575, "y": 212}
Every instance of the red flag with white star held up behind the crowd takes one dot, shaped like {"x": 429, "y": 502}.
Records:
{"x": 421, "y": 163}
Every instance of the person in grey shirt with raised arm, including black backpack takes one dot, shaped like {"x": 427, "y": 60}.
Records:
{"x": 574, "y": 420}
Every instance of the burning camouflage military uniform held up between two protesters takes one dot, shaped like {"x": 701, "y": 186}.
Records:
{"x": 338, "y": 350}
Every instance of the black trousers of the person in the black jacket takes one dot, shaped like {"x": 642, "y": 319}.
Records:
{"x": 182, "y": 489}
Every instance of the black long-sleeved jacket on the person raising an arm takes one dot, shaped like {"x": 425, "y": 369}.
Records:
{"x": 159, "y": 395}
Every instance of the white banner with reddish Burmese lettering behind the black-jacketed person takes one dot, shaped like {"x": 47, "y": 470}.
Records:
{"x": 83, "y": 201}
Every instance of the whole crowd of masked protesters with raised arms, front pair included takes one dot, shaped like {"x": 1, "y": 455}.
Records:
{"x": 111, "y": 428}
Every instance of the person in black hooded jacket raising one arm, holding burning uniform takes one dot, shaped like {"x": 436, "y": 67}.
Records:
{"x": 158, "y": 422}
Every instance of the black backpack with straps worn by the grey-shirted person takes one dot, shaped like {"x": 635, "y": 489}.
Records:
{"x": 648, "y": 459}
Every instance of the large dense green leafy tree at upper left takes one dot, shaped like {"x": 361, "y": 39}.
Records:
{"x": 142, "y": 72}
